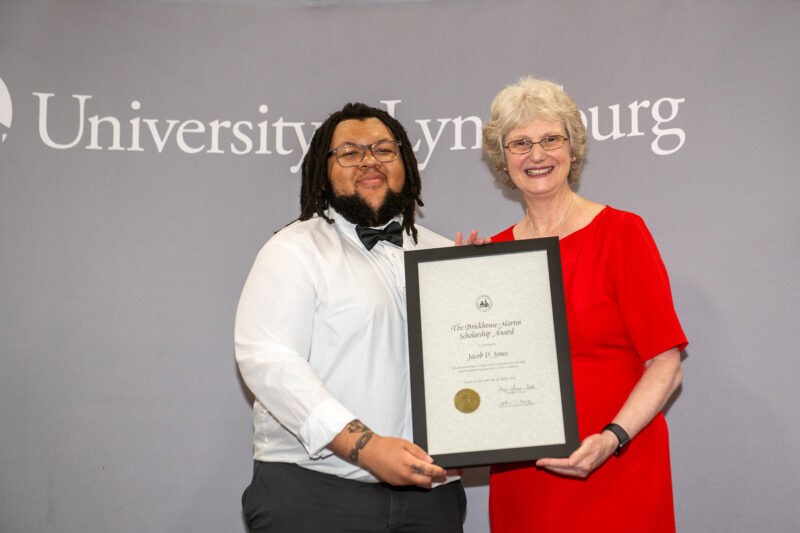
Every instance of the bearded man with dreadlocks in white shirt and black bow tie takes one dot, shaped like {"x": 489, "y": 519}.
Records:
{"x": 321, "y": 342}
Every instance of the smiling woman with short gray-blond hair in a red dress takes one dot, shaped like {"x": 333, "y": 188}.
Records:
{"x": 625, "y": 339}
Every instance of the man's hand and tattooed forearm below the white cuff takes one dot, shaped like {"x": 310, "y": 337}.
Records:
{"x": 392, "y": 460}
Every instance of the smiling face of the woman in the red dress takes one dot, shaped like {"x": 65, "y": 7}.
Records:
{"x": 539, "y": 172}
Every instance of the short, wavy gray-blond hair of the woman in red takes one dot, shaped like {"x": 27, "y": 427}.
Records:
{"x": 518, "y": 105}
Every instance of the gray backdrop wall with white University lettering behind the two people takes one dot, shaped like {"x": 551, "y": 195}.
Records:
{"x": 121, "y": 261}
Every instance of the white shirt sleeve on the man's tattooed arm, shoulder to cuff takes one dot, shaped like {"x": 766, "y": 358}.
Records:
{"x": 273, "y": 332}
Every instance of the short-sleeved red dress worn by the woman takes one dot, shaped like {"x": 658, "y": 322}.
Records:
{"x": 620, "y": 314}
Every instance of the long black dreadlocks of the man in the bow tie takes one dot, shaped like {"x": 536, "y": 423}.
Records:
{"x": 316, "y": 189}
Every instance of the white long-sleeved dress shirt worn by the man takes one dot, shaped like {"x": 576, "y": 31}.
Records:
{"x": 321, "y": 339}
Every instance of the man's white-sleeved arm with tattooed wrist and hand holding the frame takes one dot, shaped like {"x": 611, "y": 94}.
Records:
{"x": 272, "y": 339}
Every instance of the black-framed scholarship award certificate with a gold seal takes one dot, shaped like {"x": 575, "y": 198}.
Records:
{"x": 491, "y": 378}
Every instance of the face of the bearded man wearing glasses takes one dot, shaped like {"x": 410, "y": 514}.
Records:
{"x": 370, "y": 180}
